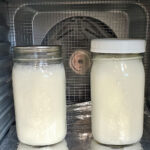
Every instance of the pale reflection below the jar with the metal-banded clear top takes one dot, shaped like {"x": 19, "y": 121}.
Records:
{"x": 60, "y": 146}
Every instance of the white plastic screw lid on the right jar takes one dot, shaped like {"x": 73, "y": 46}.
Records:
{"x": 119, "y": 46}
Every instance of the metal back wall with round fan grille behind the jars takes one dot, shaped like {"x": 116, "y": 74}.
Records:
{"x": 72, "y": 24}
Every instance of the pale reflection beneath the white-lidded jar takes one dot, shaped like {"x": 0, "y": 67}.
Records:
{"x": 97, "y": 146}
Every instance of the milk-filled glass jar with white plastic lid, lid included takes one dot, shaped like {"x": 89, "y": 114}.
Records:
{"x": 117, "y": 90}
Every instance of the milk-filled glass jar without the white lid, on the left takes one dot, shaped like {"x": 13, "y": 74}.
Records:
{"x": 39, "y": 95}
